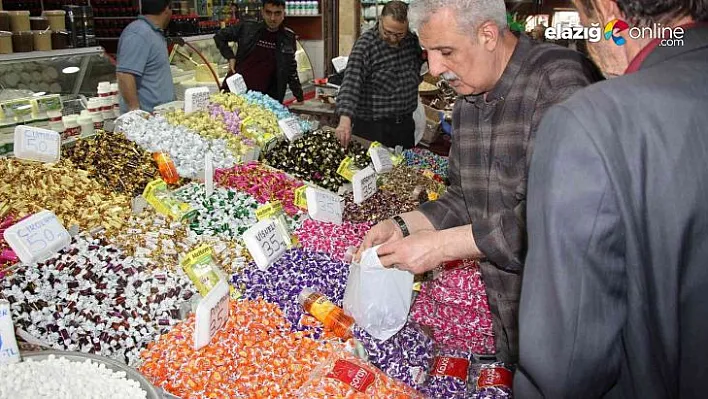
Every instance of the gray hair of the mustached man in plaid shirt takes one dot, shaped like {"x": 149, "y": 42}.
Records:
{"x": 470, "y": 14}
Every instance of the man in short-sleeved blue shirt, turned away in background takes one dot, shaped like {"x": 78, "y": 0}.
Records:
{"x": 143, "y": 71}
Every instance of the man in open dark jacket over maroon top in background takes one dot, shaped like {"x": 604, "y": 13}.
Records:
{"x": 266, "y": 52}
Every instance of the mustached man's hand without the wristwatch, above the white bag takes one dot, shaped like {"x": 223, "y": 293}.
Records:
{"x": 417, "y": 253}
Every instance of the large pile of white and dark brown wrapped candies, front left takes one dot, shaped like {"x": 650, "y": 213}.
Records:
{"x": 91, "y": 298}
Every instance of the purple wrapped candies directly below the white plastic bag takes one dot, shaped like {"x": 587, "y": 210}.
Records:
{"x": 405, "y": 356}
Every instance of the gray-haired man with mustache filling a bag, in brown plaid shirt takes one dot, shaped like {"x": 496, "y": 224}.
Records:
{"x": 507, "y": 84}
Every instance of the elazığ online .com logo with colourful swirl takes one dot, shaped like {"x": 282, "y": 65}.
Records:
{"x": 667, "y": 35}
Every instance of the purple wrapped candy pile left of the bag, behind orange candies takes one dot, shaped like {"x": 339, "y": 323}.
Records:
{"x": 296, "y": 269}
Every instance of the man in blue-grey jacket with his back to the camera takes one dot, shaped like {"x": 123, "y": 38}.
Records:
{"x": 614, "y": 301}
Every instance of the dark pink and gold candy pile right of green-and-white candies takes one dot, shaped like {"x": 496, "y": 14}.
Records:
{"x": 261, "y": 182}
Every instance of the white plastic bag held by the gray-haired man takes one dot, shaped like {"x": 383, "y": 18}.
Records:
{"x": 378, "y": 298}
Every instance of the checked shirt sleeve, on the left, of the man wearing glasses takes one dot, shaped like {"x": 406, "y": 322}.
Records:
{"x": 353, "y": 83}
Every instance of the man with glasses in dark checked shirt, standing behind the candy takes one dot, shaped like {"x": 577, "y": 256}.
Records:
{"x": 379, "y": 92}
